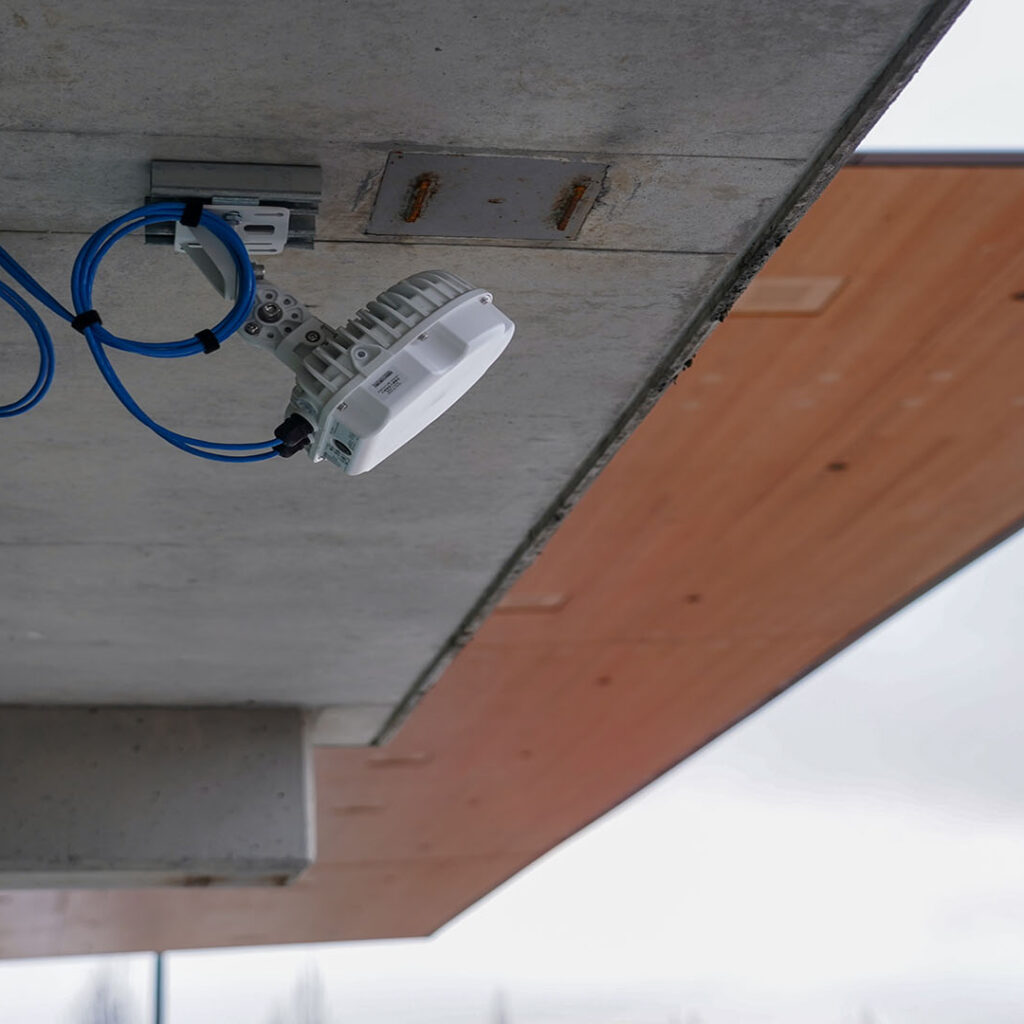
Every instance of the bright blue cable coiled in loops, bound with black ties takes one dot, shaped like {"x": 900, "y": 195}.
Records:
{"x": 98, "y": 336}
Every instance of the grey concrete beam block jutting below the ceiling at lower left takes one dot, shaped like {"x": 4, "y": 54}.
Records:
{"x": 130, "y": 797}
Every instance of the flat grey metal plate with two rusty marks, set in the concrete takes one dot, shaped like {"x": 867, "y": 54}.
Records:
{"x": 507, "y": 197}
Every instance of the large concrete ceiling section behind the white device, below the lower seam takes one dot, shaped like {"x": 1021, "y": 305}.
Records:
{"x": 148, "y": 578}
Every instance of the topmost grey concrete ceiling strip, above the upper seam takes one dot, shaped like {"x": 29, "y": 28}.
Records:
{"x": 714, "y": 77}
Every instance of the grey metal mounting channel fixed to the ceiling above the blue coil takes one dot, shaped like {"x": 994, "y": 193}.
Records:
{"x": 295, "y": 187}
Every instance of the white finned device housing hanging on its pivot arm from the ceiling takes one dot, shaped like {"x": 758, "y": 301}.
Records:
{"x": 373, "y": 386}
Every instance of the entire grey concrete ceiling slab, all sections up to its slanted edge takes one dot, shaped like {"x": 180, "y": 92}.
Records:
{"x": 138, "y": 575}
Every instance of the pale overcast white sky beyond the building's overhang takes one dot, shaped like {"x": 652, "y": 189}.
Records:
{"x": 857, "y": 846}
